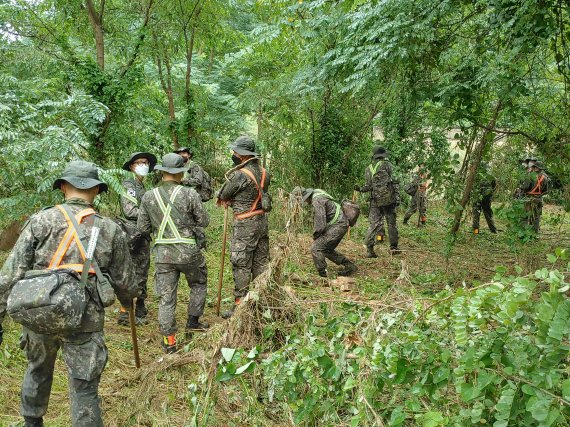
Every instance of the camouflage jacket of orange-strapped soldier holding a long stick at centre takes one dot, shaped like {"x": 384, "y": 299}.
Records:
{"x": 241, "y": 191}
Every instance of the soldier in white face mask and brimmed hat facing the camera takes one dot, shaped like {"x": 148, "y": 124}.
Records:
{"x": 140, "y": 164}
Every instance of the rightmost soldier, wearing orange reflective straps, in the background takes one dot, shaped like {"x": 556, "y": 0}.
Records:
{"x": 531, "y": 191}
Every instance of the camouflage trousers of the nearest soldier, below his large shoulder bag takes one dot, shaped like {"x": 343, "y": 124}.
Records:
{"x": 85, "y": 355}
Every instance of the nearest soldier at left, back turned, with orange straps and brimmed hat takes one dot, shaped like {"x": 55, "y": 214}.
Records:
{"x": 84, "y": 350}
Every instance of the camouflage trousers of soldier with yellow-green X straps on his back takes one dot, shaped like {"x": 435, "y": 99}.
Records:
{"x": 166, "y": 287}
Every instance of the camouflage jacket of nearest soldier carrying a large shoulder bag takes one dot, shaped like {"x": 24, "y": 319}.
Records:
{"x": 38, "y": 242}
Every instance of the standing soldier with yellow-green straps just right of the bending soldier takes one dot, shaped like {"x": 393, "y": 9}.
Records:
{"x": 384, "y": 199}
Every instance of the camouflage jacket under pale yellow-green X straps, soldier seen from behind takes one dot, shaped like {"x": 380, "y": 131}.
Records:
{"x": 191, "y": 218}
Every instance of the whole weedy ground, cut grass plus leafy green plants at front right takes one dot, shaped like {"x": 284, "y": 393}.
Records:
{"x": 408, "y": 344}
